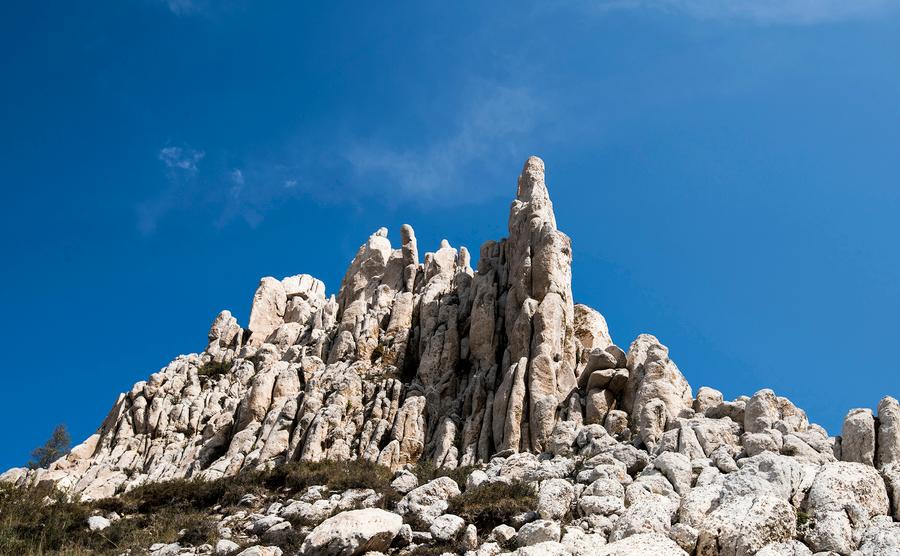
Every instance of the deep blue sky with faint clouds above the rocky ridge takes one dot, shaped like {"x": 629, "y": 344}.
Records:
{"x": 727, "y": 170}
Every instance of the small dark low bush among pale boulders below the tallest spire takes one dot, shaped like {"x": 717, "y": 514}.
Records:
{"x": 491, "y": 504}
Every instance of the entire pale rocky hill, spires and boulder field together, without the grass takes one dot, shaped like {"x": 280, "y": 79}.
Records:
{"x": 496, "y": 378}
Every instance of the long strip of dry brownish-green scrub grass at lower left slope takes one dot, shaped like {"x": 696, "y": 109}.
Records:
{"x": 40, "y": 521}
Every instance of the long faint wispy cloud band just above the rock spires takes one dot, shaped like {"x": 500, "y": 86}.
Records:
{"x": 489, "y": 130}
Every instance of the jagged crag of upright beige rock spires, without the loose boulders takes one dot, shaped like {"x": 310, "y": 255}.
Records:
{"x": 410, "y": 359}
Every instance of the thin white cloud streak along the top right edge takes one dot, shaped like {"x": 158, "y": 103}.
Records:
{"x": 789, "y": 12}
